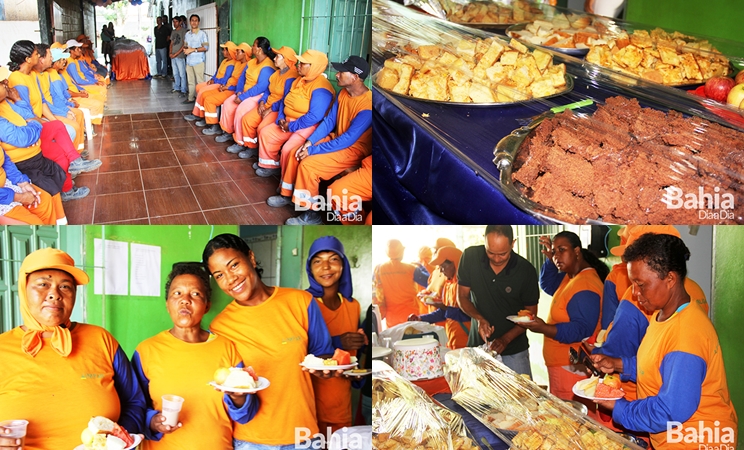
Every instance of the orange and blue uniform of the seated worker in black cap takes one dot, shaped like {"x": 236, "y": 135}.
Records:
{"x": 342, "y": 140}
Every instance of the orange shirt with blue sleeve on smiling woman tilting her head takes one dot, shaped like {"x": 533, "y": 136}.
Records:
{"x": 274, "y": 337}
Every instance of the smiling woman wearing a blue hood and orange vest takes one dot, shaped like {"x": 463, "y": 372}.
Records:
{"x": 329, "y": 273}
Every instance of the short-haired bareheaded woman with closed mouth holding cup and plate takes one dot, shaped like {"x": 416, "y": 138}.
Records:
{"x": 182, "y": 361}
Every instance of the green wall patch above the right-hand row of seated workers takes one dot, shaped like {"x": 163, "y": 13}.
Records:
{"x": 278, "y": 21}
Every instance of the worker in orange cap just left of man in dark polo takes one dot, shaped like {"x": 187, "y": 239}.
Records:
{"x": 457, "y": 323}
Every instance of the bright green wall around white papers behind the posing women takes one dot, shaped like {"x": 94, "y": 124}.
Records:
{"x": 132, "y": 319}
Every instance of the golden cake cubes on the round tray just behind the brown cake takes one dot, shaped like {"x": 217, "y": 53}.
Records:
{"x": 473, "y": 71}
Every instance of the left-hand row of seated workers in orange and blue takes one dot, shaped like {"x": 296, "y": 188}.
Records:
{"x": 50, "y": 98}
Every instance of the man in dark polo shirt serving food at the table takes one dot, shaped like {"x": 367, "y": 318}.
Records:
{"x": 495, "y": 282}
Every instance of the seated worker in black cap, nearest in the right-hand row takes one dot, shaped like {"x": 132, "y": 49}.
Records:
{"x": 342, "y": 140}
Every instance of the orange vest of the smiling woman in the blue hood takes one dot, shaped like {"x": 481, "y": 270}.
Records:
{"x": 333, "y": 395}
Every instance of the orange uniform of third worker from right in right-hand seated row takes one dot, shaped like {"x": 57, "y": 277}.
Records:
{"x": 252, "y": 123}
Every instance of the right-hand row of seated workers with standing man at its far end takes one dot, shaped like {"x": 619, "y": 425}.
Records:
{"x": 280, "y": 107}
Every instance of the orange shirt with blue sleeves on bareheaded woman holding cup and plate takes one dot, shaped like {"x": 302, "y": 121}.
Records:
{"x": 166, "y": 365}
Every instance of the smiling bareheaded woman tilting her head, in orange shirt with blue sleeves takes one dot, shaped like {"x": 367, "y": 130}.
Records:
{"x": 274, "y": 328}
